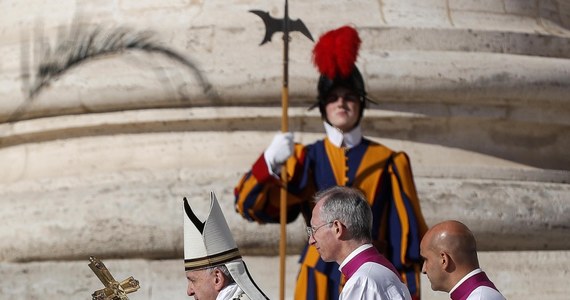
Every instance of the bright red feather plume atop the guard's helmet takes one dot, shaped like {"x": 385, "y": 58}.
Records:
{"x": 336, "y": 51}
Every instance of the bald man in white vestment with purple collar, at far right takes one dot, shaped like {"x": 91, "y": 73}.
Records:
{"x": 451, "y": 264}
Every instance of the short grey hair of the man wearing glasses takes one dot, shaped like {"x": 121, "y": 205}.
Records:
{"x": 349, "y": 206}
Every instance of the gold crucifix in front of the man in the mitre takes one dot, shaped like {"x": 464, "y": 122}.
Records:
{"x": 113, "y": 290}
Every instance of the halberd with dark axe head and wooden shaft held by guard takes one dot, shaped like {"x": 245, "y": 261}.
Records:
{"x": 285, "y": 25}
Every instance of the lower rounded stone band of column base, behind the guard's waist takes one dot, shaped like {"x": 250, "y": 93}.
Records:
{"x": 140, "y": 215}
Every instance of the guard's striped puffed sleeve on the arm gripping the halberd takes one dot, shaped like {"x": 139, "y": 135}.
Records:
{"x": 257, "y": 194}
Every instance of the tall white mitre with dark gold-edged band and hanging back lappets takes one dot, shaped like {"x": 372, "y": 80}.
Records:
{"x": 209, "y": 244}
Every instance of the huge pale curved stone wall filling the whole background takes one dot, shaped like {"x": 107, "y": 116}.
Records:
{"x": 97, "y": 159}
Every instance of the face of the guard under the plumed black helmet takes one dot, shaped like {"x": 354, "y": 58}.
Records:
{"x": 343, "y": 108}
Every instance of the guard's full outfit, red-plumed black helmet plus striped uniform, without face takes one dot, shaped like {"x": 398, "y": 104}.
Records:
{"x": 345, "y": 159}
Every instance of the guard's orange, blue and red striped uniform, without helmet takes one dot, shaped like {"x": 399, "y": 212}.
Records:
{"x": 384, "y": 176}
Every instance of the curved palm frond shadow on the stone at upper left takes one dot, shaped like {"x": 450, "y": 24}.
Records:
{"x": 82, "y": 43}
